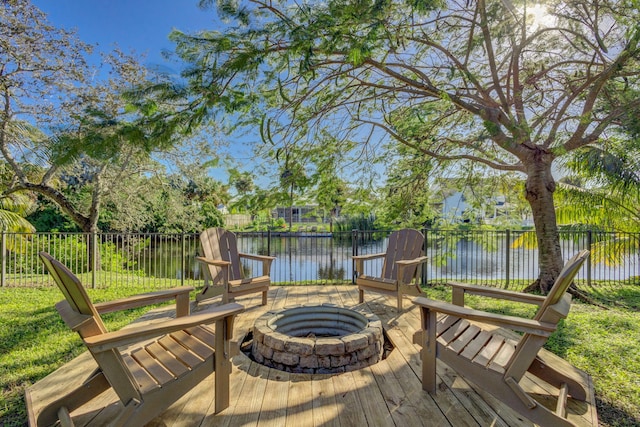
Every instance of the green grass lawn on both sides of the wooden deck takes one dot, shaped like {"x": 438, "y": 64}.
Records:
{"x": 603, "y": 341}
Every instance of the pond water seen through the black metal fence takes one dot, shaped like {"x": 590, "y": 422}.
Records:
{"x": 322, "y": 259}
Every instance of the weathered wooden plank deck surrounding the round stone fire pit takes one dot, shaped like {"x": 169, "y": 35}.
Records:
{"x": 388, "y": 393}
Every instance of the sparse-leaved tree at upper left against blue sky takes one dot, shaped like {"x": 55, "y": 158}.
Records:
{"x": 67, "y": 132}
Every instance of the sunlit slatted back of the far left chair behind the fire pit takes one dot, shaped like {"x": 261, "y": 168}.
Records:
{"x": 218, "y": 243}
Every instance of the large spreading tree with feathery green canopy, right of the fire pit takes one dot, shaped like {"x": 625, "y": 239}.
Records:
{"x": 506, "y": 84}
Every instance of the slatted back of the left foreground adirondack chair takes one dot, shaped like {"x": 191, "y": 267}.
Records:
{"x": 73, "y": 291}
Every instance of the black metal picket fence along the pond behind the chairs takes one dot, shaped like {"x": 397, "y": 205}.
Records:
{"x": 505, "y": 258}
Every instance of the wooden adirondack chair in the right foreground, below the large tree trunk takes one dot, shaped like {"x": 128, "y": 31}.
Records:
{"x": 494, "y": 360}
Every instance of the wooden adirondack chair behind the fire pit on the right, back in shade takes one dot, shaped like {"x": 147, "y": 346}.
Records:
{"x": 400, "y": 265}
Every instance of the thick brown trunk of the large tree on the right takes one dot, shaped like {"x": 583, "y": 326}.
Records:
{"x": 539, "y": 190}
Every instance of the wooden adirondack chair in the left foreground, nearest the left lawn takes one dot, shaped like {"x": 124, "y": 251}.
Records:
{"x": 149, "y": 367}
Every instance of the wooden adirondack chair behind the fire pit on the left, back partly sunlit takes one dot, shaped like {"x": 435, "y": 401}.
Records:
{"x": 223, "y": 272}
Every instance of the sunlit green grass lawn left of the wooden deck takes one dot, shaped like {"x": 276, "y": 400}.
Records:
{"x": 34, "y": 341}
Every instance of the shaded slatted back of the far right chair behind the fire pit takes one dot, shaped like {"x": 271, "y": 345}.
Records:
{"x": 403, "y": 245}
